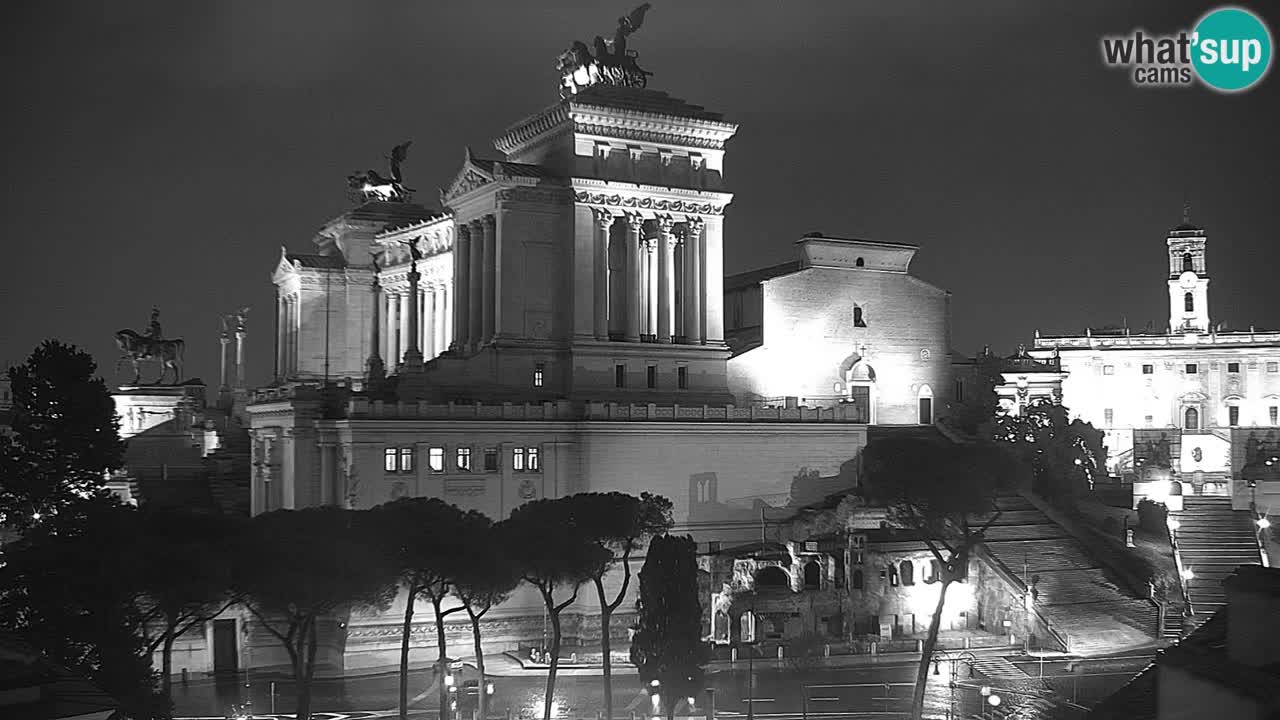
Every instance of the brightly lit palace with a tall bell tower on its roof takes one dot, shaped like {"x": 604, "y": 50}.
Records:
{"x": 1194, "y": 404}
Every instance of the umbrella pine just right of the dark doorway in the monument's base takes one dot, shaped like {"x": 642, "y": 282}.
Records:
{"x": 309, "y": 566}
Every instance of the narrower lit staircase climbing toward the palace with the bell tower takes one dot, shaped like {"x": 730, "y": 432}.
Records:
{"x": 1213, "y": 540}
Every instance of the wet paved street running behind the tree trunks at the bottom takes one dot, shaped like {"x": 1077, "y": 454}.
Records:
{"x": 870, "y": 691}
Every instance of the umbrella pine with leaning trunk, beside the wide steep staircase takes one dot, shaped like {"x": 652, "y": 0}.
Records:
{"x": 947, "y": 494}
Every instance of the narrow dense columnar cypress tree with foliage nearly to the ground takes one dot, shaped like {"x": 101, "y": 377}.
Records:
{"x": 668, "y": 646}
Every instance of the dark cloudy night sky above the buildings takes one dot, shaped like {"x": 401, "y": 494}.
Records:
{"x": 162, "y": 153}
